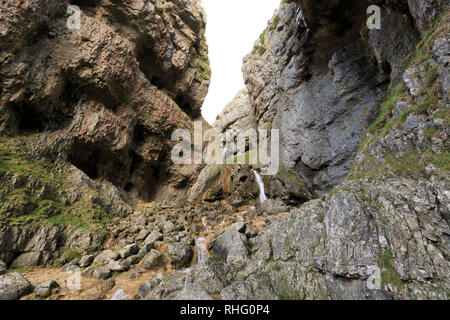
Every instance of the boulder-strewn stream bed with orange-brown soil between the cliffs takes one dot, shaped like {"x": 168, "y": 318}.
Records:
{"x": 156, "y": 253}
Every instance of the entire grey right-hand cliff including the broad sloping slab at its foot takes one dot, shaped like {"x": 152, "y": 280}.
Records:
{"x": 384, "y": 232}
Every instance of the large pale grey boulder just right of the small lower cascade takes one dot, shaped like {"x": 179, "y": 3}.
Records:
{"x": 231, "y": 247}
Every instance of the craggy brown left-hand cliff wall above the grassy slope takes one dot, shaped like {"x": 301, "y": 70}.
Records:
{"x": 106, "y": 98}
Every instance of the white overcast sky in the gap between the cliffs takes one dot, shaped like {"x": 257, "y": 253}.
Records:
{"x": 232, "y": 28}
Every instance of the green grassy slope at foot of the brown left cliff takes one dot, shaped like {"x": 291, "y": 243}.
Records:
{"x": 38, "y": 196}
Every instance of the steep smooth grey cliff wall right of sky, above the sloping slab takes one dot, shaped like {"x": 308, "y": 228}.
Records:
{"x": 319, "y": 80}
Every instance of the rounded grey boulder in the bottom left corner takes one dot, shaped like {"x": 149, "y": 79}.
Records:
{"x": 13, "y": 286}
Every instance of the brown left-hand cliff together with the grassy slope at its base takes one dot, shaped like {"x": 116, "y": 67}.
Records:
{"x": 86, "y": 115}
